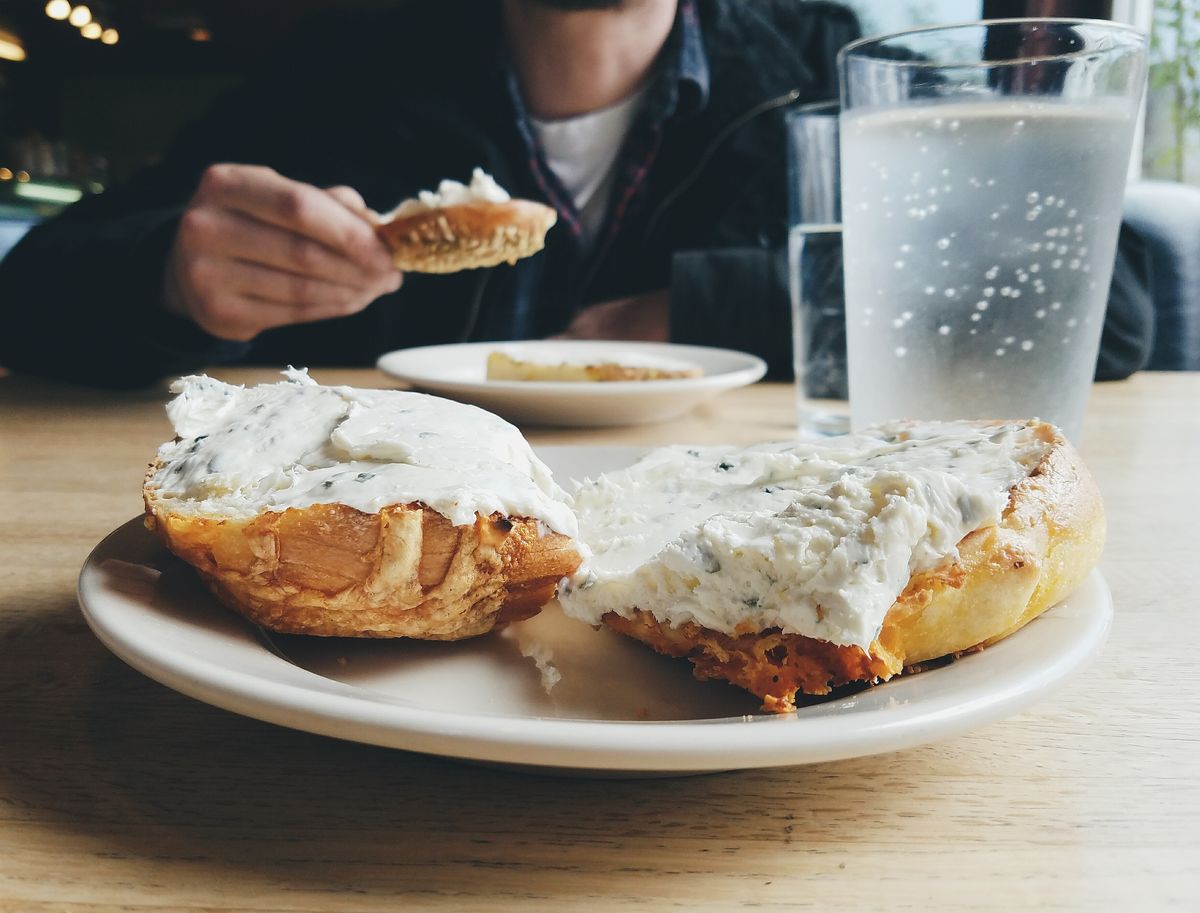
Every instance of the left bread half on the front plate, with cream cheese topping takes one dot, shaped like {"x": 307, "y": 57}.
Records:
{"x": 400, "y": 569}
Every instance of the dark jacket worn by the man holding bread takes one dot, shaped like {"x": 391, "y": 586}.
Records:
{"x": 399, "y": 107}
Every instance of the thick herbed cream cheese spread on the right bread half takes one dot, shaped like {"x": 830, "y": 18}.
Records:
{"x": 815, "y": 539}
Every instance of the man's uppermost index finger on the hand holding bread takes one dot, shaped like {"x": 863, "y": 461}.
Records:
{"x": 301, "y": 208}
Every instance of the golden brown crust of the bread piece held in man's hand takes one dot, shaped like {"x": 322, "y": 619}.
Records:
{"x": 469, "y": 236}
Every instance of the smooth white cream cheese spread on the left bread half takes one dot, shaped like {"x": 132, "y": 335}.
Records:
{"x": 293, "y": 445}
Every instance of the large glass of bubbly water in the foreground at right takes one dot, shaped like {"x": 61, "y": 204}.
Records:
{"x": 983, "y": 173}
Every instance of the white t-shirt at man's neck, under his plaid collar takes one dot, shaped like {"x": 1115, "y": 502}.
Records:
{"x": 583, "y": 154}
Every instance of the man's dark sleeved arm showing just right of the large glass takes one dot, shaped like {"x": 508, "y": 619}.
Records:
{"x": 1130, "y": 319}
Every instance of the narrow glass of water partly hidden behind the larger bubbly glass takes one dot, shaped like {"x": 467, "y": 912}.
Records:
{"x": 815, "y": 268}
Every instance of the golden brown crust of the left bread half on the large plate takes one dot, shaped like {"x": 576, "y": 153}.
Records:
{"x": 406, "y": 572}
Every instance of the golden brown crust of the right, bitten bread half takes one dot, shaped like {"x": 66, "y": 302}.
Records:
{"x": 1048, "y": 540}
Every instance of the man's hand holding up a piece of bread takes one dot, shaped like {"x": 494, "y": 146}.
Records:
{"x": 256, "y": 250}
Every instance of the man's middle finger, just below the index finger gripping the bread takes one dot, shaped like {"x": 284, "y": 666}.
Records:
{"x": 239, "y": 237}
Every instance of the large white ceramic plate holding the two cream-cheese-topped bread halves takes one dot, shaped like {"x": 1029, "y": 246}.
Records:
{"x": 616, "y": 710}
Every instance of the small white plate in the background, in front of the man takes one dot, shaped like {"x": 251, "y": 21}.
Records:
{"x": 460, "y": 373}
